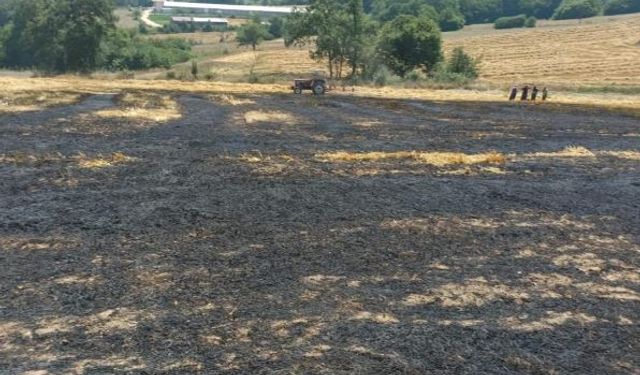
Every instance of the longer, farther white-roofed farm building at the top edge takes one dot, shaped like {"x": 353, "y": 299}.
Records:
{"x": 169, "y": 6}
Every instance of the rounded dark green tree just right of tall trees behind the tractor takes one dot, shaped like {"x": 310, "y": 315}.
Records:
{"x": 410, "y": 42}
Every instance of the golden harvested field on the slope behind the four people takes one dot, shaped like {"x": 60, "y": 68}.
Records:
{"x": 598, "y": 51}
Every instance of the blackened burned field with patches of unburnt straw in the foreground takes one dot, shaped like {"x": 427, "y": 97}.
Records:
{"x": 149, "y": 233}
